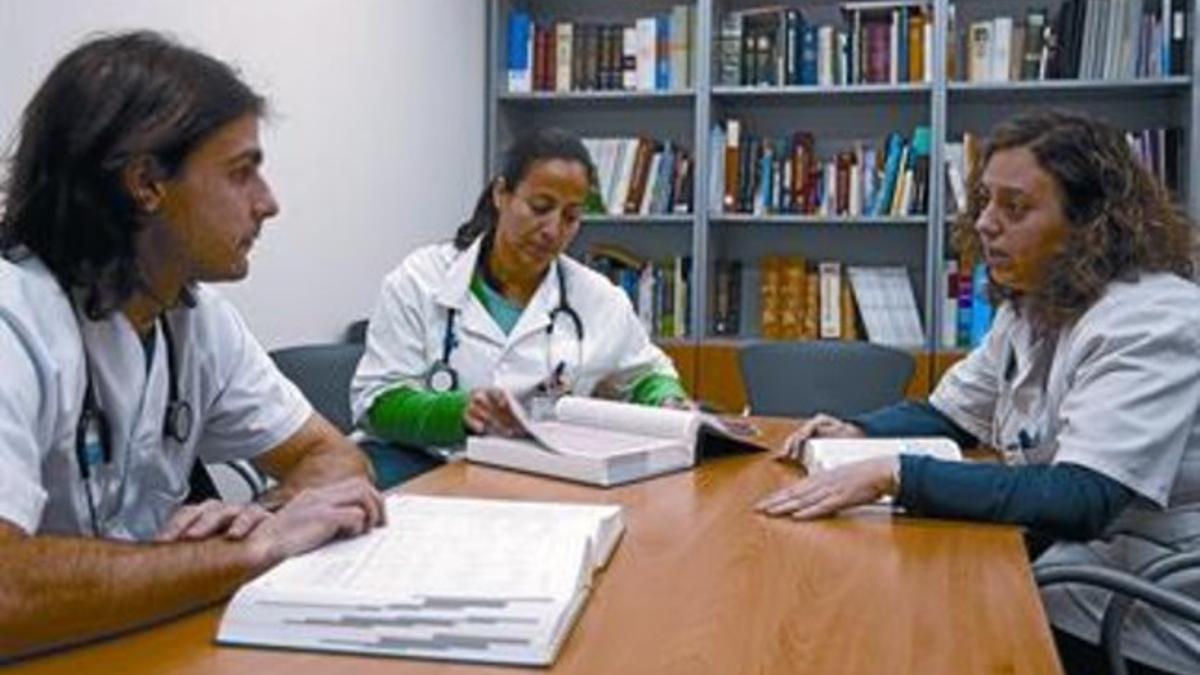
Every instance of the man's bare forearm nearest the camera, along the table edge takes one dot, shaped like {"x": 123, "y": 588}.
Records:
{"x": 59, "y": 592}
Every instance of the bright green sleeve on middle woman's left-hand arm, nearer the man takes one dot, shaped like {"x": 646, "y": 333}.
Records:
{"x": 418, "y": 417}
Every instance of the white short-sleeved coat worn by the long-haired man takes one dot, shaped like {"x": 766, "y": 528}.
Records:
{"x": 242, "y": 407}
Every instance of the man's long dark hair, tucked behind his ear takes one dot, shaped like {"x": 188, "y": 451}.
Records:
{"x": 109, "y": 103}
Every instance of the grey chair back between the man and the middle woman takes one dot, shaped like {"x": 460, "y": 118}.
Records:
{"x": 323, "y": 374}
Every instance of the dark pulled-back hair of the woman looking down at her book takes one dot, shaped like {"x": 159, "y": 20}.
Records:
{"x": 541, "y": 145}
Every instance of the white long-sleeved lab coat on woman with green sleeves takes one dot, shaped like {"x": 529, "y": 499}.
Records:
{"x": 409, "y": 327}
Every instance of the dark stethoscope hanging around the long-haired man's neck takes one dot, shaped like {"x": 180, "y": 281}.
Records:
{"x": 94, "y": 434}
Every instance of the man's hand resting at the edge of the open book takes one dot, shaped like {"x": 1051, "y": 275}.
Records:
{"x": 315, "y": 516}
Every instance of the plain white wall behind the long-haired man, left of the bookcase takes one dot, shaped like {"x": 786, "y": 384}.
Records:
{"x": 375, "y": 146}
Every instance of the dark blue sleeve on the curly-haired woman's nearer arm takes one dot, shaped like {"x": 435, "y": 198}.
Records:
{"x": 1066, "y": 501}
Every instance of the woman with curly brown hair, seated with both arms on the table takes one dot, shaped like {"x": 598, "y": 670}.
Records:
{"x": 1089, "y": 381}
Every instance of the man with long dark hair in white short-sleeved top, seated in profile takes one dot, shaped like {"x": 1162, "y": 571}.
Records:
{"x": 135, "y": 181}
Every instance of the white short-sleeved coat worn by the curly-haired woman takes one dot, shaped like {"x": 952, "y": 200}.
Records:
{"x": 1118, "y": 392}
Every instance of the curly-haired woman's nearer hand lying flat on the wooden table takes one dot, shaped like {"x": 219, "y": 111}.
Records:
{"x": 830, "y": 492}
